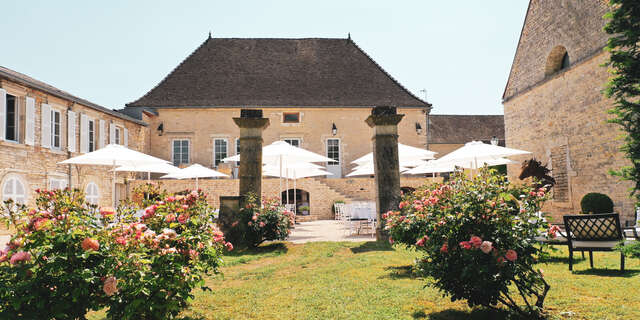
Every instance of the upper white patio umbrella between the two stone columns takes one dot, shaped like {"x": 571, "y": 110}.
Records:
{"x": 284, "y": 155}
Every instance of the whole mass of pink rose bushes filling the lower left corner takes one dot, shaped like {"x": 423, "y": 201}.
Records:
{"x": 68, "y": 257}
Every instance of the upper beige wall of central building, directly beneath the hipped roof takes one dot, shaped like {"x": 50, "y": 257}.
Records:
{"x": 201, "y": 126}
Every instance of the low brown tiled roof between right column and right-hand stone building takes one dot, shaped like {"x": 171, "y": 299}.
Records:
{"x": 457, "y": 129}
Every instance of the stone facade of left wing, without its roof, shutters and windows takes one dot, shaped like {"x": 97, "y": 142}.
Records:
{"x": 35, "y": 166}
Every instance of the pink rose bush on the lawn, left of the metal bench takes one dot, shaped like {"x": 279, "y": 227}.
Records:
{"x": 477, "y": 235}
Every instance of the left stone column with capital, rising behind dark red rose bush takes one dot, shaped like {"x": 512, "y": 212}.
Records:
{"x": 251, "y": 125}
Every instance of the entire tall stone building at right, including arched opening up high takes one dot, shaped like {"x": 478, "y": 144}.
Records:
{"x": 554, "y": 106}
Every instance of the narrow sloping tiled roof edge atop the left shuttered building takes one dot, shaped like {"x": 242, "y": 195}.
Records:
{"x": 49, "y": 89}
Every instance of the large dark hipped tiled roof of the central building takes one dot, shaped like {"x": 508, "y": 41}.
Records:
{"x": 309, "y": 72}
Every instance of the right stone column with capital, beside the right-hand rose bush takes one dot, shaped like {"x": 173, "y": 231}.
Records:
{"x": 384, "y": 121}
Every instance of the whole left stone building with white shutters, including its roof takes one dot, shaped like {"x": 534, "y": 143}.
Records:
{"x": 41, "y": 125}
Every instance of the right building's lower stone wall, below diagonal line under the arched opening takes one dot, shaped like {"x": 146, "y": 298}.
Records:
{"x": 563, "y": 121}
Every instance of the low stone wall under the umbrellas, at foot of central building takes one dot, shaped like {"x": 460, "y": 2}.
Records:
{"x": 322, "y": 192}
